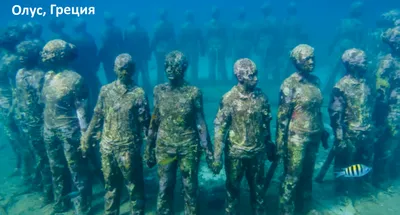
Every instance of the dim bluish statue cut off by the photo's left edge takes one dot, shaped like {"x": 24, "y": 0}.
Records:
{"x": 9, "y": 65}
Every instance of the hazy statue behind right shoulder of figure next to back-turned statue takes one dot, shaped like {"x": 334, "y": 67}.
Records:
{"x": 137, "y": 44}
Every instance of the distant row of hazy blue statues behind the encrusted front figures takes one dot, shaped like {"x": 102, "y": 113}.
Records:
{"x": 270, "y": 40}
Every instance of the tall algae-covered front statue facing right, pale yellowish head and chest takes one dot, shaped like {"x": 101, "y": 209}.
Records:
{"x": 299, "y": 130}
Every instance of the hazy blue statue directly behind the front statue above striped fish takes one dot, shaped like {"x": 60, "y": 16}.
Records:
{"x": 349, "y": 34}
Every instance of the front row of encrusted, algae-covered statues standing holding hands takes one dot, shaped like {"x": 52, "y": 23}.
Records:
{"x": 49, "y": 115}
